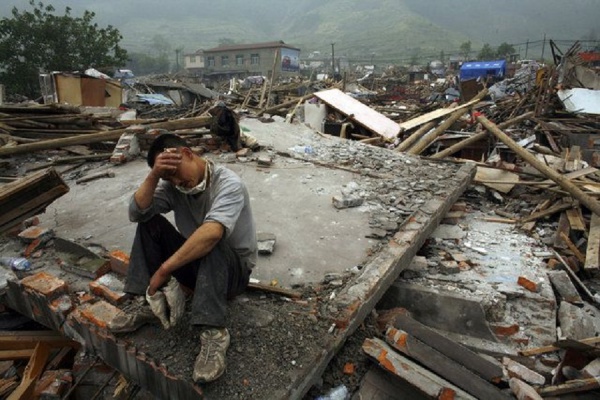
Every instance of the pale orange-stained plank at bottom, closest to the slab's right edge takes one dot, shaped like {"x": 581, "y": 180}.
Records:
{"x": 419, "y": 377}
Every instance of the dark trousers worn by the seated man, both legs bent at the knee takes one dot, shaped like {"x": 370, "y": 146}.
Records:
{"x": 214, "y": 278}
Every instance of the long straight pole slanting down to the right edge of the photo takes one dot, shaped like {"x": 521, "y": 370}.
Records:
{"x": 563, "y": 182}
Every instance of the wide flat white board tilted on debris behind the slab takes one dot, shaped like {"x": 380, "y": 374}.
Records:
{"x": 360, "y": 113}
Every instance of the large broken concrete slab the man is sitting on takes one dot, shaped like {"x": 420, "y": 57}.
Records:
{"x": 405, "y": 199}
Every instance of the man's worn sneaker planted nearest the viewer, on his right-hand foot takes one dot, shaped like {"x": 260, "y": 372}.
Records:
{"x": 210, "y": 363}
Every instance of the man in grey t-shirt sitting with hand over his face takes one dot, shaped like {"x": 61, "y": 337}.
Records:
{"x": 212, "y": 251}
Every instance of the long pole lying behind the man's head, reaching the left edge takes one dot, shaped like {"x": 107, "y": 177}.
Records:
{"x": 186, "y": 123}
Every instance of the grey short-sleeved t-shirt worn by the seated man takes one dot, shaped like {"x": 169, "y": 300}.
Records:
{"x": 225, "y": 201}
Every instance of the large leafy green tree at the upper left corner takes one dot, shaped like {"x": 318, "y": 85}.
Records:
{"x": 37, "y": 41}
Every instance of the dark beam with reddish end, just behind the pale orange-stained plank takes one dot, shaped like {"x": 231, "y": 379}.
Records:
{"x": 445, "y": 367}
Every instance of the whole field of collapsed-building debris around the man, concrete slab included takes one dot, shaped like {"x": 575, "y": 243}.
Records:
{"x": 458, "y": 241}
